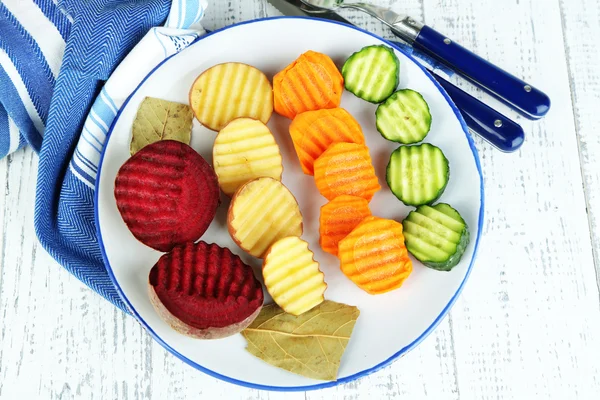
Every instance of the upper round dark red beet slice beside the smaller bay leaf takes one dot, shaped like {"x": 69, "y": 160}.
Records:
{"x": 167, "y": 194}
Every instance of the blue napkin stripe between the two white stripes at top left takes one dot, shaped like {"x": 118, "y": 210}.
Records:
{"x": 29, "y": 61}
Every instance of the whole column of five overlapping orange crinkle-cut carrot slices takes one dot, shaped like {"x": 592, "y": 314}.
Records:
{"x": 330, "y": 146}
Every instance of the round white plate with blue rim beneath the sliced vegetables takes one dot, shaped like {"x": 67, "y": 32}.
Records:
{"x": 389, "y": 325}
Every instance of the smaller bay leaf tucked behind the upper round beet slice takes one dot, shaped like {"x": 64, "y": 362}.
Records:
{"x": 158, "y": 119}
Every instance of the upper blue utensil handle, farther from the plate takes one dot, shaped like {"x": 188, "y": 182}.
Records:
{"x": 521, "y": 96}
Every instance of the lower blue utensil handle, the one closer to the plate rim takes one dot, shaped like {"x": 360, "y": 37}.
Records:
{"x": 497, "y": 129}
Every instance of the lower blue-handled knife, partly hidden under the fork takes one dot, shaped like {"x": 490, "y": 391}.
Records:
{"x": 481, "y": 119}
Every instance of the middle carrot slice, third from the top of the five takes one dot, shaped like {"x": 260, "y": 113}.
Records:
{"x": 346, "y": 168}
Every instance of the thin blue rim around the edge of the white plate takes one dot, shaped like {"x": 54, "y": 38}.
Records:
{"x": 346, "y": 379}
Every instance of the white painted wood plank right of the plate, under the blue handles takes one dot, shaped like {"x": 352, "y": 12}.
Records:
{"x": 522, "y": 328}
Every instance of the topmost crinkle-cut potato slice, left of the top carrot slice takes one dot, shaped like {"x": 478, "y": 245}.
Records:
{"x": 228, "y": 91}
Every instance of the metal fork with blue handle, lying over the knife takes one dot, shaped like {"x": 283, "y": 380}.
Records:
{"x": 521, "y": 96}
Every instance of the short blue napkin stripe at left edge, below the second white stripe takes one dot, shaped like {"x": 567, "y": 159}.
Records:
{"x": 11, "y": 101}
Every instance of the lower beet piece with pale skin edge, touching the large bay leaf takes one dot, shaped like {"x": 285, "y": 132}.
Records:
{"x": 205, "y": 291}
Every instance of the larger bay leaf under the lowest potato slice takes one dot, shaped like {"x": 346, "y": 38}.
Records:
{"x": 311, "y": 344}
